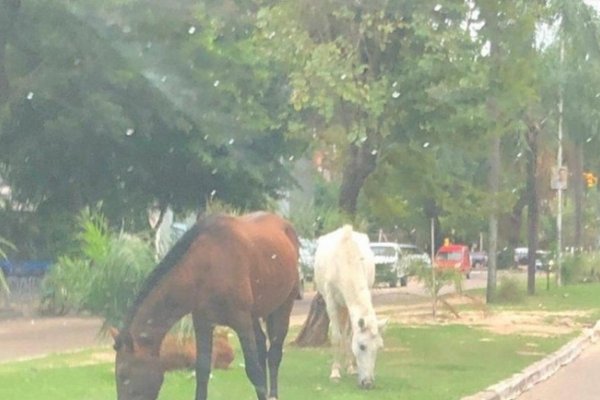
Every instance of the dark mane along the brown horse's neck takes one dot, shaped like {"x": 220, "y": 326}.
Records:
{"x": 166, "y": 264}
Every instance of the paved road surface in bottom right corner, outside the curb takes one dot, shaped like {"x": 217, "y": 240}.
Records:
{"x": 578, "y": 380}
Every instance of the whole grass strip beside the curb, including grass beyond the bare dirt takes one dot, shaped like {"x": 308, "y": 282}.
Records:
{"x": 447, "y": 352}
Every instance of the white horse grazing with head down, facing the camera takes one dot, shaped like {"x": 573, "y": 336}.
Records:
{"x": 344, "y": 275}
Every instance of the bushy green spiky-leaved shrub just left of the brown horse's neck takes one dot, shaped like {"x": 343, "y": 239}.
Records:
{"x": 103, "y": 278}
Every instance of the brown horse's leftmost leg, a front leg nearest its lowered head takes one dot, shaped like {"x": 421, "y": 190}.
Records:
{"x": 204, "y": 338}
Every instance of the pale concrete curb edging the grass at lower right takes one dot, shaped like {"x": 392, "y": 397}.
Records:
{"x": 512, "y": 387}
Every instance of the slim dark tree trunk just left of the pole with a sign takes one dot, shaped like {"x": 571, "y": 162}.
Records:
{"x": 532, "y": 207}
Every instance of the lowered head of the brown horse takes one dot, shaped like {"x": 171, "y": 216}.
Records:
{"x": 138, "y": 374}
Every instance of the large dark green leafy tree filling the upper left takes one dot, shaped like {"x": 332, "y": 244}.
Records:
{"x": 89, "y": 123}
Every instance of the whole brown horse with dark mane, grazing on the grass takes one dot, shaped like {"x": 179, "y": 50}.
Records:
{"x": 225, "y": 270}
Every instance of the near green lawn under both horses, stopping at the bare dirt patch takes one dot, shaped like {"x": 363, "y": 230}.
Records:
{"x": 439, "y": 362}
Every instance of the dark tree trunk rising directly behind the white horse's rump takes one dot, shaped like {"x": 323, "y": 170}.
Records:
{"x": 361, "y": 163}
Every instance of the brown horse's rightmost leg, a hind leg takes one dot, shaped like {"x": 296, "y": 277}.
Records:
{"x": 277, "y": 328}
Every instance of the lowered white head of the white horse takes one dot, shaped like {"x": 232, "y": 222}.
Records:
{"x": 366, "y": 341}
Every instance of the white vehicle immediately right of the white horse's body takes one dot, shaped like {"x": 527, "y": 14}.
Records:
{"x": 389, "y": 266}
